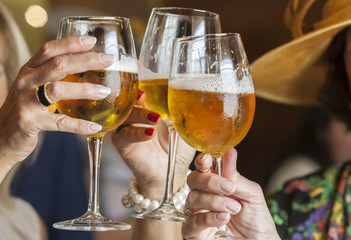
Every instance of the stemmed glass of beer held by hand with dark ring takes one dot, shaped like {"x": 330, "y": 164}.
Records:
{"x": 114, "y": 36}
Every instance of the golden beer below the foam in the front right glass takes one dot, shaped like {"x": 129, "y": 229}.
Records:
{"x": 211, "y": 122}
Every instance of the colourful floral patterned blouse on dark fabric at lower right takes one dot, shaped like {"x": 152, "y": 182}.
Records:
{"x": 317, "y": 206}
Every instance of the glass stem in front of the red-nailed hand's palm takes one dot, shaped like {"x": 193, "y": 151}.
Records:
{"x": 172, "y": 143}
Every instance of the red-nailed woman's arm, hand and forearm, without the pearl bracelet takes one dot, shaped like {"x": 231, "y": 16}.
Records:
{"x": 147, "y": 157}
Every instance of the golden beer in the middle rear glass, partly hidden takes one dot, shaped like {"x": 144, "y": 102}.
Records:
{"x": 156, "y": 95}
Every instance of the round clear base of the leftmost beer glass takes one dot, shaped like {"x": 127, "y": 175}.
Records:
{"x": 89, "y": 222}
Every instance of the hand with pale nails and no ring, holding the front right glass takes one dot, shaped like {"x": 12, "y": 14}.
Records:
{"x": 230, "y": 199}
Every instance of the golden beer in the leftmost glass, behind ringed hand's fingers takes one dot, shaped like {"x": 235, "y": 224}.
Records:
{"x": 109, "y": 112}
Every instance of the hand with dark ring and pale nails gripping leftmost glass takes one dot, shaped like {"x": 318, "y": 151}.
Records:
{"x": 23, "y": 117}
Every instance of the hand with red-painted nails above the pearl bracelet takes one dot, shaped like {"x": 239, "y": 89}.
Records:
{"x": 145, "y": 151}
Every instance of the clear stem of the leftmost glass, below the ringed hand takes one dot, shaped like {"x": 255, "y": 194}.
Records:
{"x": 94, "y": 147}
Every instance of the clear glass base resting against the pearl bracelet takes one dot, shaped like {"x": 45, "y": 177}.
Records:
{"x": 166, "y": 212}
